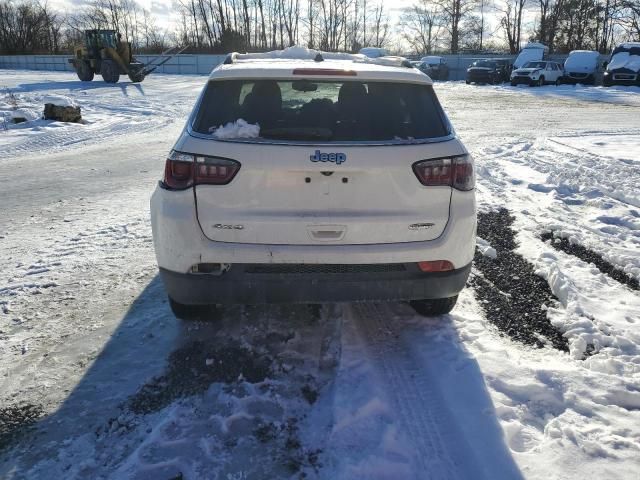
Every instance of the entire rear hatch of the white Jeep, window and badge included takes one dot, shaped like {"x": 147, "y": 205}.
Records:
{"x": 323, "y": 163}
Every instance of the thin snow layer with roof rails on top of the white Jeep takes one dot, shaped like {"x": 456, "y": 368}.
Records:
{"x": 302, "y": 53}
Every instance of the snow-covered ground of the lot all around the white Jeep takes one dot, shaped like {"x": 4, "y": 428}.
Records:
{"x": 115, "y": 387}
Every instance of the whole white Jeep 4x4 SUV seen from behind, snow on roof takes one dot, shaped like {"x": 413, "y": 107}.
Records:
{"x": 306, "y": 176}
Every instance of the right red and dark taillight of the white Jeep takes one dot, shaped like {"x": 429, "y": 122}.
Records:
{"x": 456, "y": 172}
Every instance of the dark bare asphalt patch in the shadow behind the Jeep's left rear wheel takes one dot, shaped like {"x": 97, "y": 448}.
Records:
{"x": 193, "y": 368}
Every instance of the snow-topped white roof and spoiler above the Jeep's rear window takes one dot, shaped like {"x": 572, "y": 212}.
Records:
{"x": 304, "y": 62}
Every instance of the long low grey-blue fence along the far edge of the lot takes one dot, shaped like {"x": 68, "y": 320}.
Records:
{"x": 203, "y": 64}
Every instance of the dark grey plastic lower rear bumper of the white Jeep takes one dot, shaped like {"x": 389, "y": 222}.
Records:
{"x": 246, "y": 284}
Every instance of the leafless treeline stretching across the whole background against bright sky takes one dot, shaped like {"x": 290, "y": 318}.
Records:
{"x": 426, "y": 26}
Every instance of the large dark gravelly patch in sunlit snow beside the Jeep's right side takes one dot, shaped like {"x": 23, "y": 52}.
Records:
{"x": 512, "y": 296}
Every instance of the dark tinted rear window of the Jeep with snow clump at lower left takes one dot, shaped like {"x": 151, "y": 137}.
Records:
{"x": 332, "y": 111}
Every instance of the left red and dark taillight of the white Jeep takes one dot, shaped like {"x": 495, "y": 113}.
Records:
{"x": 184, "y": 170}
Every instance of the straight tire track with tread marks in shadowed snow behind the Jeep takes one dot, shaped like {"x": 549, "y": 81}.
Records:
{"x": 423, "y": 416}
